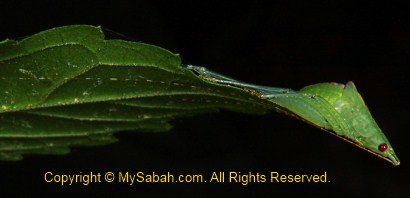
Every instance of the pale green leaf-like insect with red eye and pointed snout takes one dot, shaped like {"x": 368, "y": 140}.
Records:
{"x": 333, "y": 107}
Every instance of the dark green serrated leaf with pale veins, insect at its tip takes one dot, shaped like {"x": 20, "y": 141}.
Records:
{"x": 68, "y": 87}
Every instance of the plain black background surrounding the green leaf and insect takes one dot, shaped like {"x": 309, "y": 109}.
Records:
{"x": 279, "y": 44}
